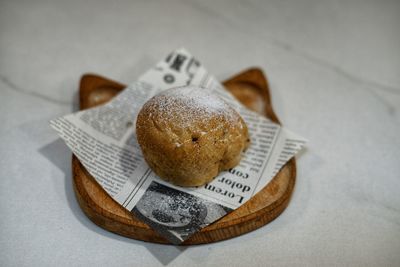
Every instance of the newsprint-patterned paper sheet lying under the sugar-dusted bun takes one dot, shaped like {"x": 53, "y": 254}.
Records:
{"x": 103, "y": 138}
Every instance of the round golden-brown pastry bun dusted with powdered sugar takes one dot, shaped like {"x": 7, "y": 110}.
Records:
{"x": 188, "y": 135}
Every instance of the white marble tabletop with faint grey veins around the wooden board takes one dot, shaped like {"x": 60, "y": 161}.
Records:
{"x": 334, "y": 70}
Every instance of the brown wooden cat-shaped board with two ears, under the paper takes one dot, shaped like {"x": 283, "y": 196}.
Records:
{"x": 251, "y": 88}
